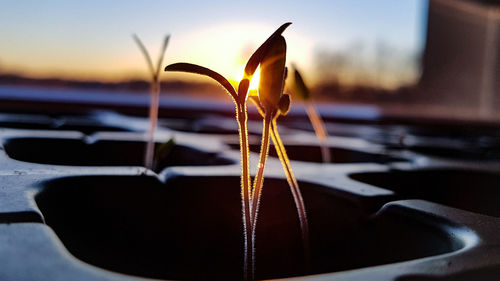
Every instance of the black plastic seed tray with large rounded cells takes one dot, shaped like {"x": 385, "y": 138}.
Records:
{"x": 398, "y": 202}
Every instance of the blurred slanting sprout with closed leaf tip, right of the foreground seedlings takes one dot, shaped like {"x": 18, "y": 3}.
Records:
{"x": 300, "y": 90}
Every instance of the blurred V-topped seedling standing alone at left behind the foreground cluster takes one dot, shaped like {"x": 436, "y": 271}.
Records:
{"x": 155, "y": 96}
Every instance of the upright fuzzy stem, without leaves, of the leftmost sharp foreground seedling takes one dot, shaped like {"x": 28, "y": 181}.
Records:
{"x": 248, "y": 263}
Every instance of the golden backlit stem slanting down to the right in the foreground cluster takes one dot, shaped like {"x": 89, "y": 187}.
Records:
{"x": 294, "y": 188}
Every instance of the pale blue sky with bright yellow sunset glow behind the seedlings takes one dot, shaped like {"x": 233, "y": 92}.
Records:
{"x": 92, "y": 39}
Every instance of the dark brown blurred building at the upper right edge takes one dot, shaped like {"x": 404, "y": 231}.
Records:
{"x": 461, "y": 62}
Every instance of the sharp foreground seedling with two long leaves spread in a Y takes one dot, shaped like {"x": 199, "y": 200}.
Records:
{"x": 239, "y": 98}
